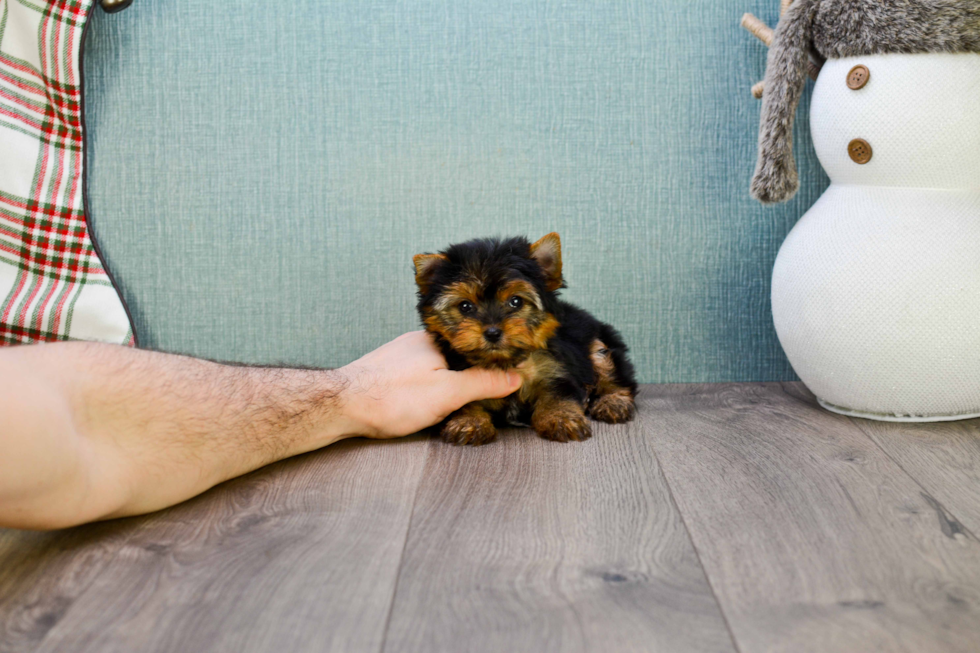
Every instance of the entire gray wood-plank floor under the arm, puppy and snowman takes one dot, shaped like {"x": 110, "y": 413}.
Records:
{"x": 726, "y": 518}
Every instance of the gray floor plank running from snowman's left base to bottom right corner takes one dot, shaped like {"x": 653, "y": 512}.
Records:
{"x": 812, "y": 537}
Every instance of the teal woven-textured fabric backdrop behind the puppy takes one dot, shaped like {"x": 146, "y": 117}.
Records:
{"x": 262, "y": 173}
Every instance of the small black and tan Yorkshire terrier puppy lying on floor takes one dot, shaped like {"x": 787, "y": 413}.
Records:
{"x": 494, "y": 303}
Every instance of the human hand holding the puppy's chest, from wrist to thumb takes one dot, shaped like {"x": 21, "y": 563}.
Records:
{"x": 405, "y": 386}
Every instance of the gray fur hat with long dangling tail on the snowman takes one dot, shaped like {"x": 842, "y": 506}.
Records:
{"x": 833, "y": 29}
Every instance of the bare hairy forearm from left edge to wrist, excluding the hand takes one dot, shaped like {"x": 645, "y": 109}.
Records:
{"x": 111, "y": 431}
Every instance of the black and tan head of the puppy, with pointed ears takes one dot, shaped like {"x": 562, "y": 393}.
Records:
{"x": 491, "y": 300}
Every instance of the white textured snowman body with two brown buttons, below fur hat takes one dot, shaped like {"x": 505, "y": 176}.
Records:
{"x": 876, "y": 291}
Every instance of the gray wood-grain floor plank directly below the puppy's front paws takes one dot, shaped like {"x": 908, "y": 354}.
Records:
{"x": 528, "y": 545}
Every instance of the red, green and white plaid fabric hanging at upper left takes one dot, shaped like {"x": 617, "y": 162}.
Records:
{"x": 53, "y": 284}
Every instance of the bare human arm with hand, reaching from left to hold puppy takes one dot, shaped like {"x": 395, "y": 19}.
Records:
{"x": 93, "y": 431}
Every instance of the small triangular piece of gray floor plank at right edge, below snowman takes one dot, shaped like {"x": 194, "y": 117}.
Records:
{"x": 943, "y": 457}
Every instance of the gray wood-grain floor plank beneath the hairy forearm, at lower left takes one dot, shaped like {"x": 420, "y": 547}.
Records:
{"x": 300, "y": 556}
